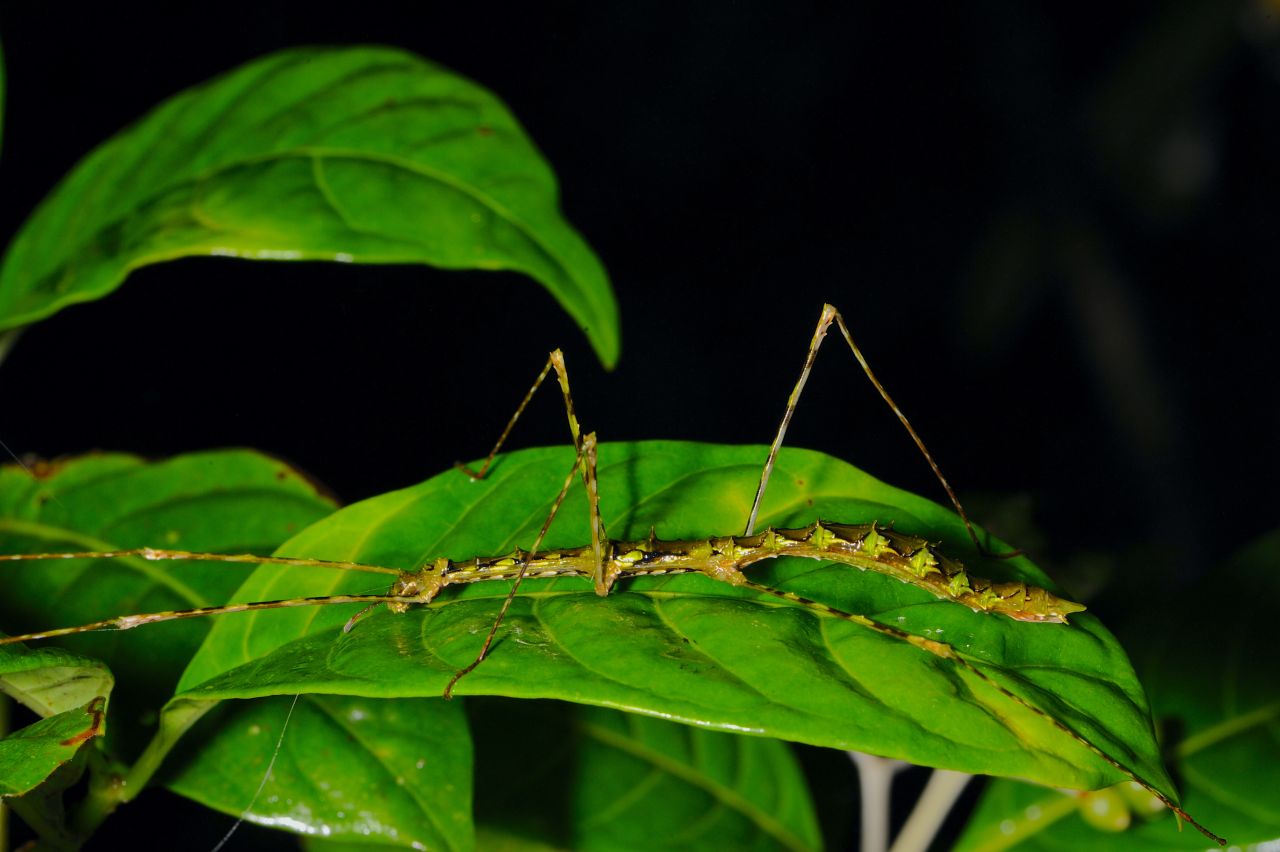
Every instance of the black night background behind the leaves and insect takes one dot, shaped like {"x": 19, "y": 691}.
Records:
{"x": 1053, "y": 231}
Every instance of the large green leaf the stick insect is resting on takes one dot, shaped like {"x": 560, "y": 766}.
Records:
{"x": 688, "y": 648}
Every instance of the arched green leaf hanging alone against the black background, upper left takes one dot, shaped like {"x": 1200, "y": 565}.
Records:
{"x": 368, "y": 155}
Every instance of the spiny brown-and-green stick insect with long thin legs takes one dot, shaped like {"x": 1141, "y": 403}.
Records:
{"x": 870, "y": 547}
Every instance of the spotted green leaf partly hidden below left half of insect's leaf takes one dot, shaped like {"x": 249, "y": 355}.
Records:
{"x": 394, "y": 772}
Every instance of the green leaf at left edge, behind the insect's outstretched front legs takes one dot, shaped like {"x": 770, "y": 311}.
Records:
{"x": 231, "y": 501}
